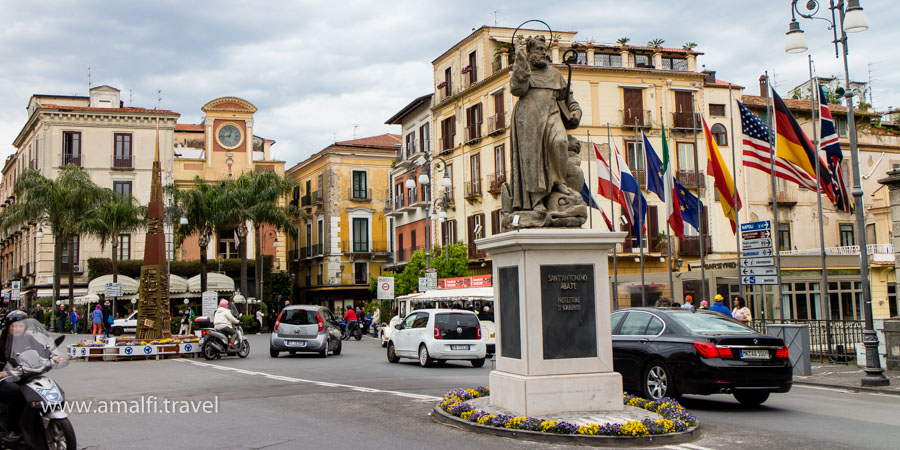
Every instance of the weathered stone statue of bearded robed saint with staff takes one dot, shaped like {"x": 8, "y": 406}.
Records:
{"x": 538, "y": 193}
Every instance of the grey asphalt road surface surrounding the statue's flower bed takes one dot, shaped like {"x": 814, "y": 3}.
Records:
{"x": 359, "y": 400}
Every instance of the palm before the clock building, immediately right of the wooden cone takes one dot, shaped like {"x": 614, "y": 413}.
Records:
{"x": 199, "y": 206}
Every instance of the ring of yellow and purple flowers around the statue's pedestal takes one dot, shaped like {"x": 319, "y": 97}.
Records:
{"x": 674, "y": 419}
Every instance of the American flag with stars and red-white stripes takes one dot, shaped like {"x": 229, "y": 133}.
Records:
{"x": 756, "y": 152}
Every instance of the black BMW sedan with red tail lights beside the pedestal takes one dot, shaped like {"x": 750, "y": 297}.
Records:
{"x": 669, "y": 352}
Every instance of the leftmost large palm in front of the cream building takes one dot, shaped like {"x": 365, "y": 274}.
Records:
{"x": 61, "y": 203}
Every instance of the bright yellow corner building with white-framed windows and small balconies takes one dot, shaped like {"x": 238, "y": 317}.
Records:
{"x": 343, "y": 237}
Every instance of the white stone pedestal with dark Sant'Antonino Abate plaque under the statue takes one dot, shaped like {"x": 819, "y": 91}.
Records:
{"x": 552, "y": 306}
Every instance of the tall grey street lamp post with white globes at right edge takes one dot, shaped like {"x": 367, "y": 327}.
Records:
{"x": 847, "y": 20}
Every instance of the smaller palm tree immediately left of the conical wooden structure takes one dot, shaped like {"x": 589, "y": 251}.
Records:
{"x": 113, "y": 216}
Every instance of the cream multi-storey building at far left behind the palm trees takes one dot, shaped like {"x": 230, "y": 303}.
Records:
{"x": 114, "y": 144}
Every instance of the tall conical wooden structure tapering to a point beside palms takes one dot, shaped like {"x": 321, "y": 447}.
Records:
{"x": 153, "y": 304}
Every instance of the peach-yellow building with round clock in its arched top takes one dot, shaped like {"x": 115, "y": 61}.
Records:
{"x": 223, "y": 147}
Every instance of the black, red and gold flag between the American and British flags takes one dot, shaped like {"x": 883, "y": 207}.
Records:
{"x": 791, "y": 144}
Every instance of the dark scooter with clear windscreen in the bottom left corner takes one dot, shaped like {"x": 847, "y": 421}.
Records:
{"x": 44, "y": 423}
